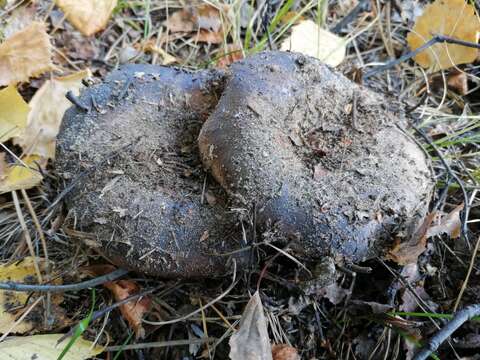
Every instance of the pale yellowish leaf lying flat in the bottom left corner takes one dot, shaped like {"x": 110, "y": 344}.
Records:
{"x": 45, "y": 347}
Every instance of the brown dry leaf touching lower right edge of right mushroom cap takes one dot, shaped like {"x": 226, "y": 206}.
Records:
{"x": 408, "y": 252}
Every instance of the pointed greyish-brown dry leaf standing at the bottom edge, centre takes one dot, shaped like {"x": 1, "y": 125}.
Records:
{"x": 251, "y": 341}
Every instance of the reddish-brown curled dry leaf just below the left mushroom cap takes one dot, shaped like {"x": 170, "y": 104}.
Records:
{"x": 134, "y": 310}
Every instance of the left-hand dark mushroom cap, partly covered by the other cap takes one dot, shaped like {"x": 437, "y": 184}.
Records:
{"x": 140, "y": 190}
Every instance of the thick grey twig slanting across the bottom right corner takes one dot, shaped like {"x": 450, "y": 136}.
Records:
{"x": 460, "y": 317}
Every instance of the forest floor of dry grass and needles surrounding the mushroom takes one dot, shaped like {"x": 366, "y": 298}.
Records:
{"x": 380, "y": 309}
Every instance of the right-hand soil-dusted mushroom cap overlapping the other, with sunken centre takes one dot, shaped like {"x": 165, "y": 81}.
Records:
{"x": 328, "y": 166}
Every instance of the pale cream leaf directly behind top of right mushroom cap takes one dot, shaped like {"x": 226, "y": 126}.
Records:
{"x": 310, "y": 39}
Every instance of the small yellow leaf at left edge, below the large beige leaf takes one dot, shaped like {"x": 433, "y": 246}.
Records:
{"x": 22, "y": 175}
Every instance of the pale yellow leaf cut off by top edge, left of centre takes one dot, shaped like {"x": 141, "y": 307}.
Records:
{"x": 88, "y": 16}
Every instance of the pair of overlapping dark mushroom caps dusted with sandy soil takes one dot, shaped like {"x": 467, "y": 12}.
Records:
{"x": 323, "y": 163}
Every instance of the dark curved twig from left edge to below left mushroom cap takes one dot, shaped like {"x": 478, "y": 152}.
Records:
{"x": 12, "y": 286}
